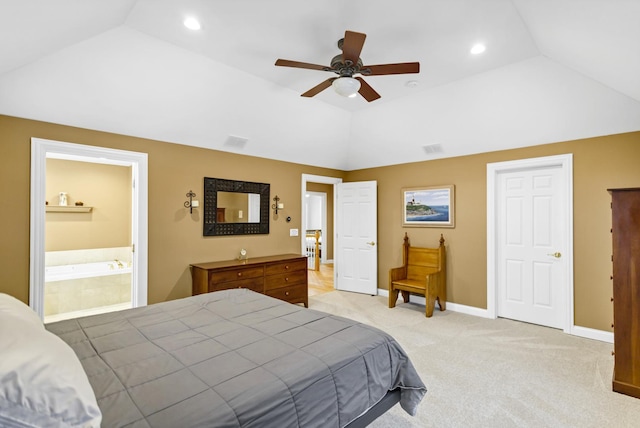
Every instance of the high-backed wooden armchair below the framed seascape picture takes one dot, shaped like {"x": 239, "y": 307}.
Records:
{"x": 423, "y": 272}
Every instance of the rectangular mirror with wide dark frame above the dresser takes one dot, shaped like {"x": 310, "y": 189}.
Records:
{"x": 233, "y": 207}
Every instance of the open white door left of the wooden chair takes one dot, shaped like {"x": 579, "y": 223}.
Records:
{"x": 356, "y": 237}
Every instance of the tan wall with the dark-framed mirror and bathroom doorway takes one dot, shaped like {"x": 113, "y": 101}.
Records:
{"x": 175, "y": 236}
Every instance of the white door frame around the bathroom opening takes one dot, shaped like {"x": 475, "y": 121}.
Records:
{"x": 41, "y": 149}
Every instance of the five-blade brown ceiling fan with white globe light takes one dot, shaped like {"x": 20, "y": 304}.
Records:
{"x": 347, "y": 65}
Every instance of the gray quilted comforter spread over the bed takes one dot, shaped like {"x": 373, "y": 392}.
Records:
{"x": 236, "y": 358}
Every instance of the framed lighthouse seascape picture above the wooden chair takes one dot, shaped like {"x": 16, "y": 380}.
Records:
{"x": 428, "y": 206}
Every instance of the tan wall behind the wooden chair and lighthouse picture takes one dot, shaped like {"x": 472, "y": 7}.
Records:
{"x": 598, "y": 164}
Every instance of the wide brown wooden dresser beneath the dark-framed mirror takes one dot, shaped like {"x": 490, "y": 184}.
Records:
{"x": 283, "y": 276}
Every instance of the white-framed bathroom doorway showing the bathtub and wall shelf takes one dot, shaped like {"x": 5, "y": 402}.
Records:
{"x": 89, "y": 233}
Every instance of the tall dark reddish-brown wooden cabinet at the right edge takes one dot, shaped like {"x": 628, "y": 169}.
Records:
{"x": 626, "y": 290}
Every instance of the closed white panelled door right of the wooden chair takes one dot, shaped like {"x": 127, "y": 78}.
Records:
{"x": 530, "y": 227}
